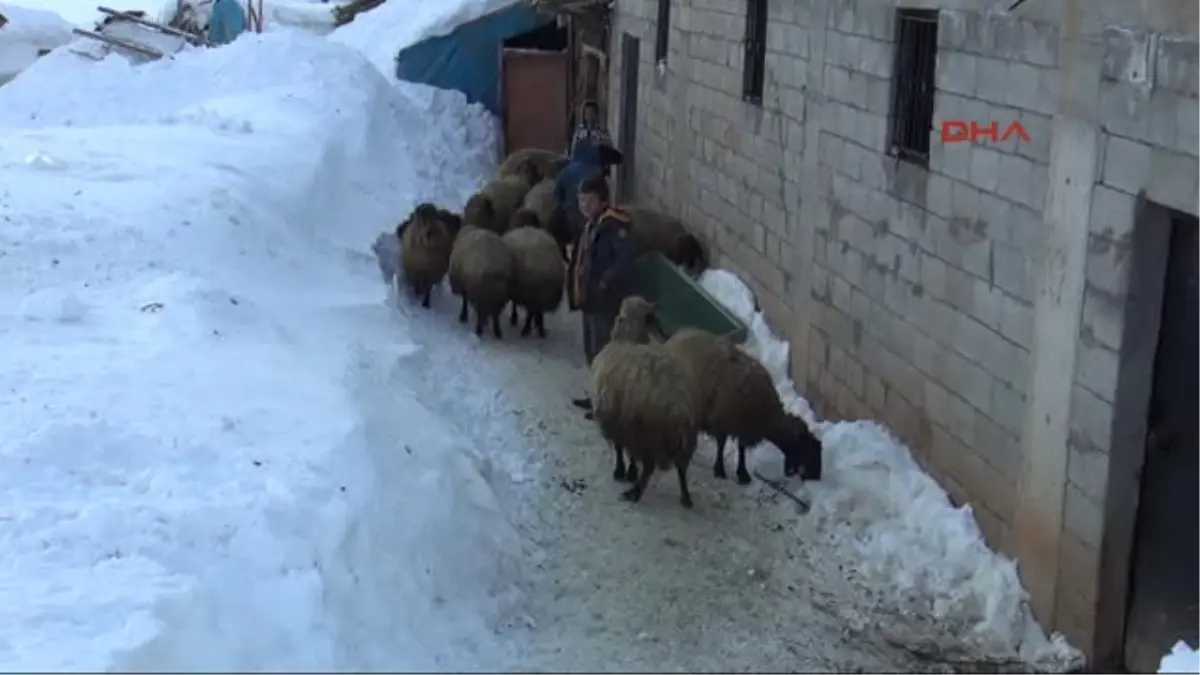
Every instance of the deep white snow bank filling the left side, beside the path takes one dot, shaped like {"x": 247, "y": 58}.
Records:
{"x": 205, "y": 467}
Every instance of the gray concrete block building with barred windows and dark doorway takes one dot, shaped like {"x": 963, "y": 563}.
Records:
{"x": 1018, "y": 310}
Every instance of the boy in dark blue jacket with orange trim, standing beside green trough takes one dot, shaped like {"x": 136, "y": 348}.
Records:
{"x": 601, "y": 268}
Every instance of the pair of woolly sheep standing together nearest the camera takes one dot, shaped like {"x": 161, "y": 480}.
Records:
{"x": 653, "y": 399}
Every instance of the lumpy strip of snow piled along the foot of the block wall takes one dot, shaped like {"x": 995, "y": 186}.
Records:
{"x": 896, "y": 533}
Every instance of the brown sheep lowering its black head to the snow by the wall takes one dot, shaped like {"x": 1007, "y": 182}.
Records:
{"x": 739, "y": 399}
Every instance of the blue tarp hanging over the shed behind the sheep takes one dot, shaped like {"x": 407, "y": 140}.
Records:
{"x": 469, "y": 59}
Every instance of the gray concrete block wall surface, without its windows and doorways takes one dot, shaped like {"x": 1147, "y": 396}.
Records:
{"x": 923, "y": 297}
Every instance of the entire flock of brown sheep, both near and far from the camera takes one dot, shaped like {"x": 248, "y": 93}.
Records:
{"x": 652, "y": 399}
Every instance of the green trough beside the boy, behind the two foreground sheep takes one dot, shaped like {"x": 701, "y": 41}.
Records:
{"x": 682, "y": 303}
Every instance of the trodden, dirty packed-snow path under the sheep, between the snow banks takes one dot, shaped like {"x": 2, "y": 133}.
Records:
{"x": 626, "y": 587}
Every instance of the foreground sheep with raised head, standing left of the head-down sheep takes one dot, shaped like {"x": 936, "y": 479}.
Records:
{"x": 645, "y": 403}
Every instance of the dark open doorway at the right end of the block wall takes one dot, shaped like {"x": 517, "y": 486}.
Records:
{"x": 1165, "y": 587}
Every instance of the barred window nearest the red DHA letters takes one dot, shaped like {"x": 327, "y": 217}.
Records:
{"x": 914, "y": 85}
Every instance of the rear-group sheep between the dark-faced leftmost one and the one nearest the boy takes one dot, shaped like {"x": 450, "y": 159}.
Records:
{"x": 482, "y": 273}
